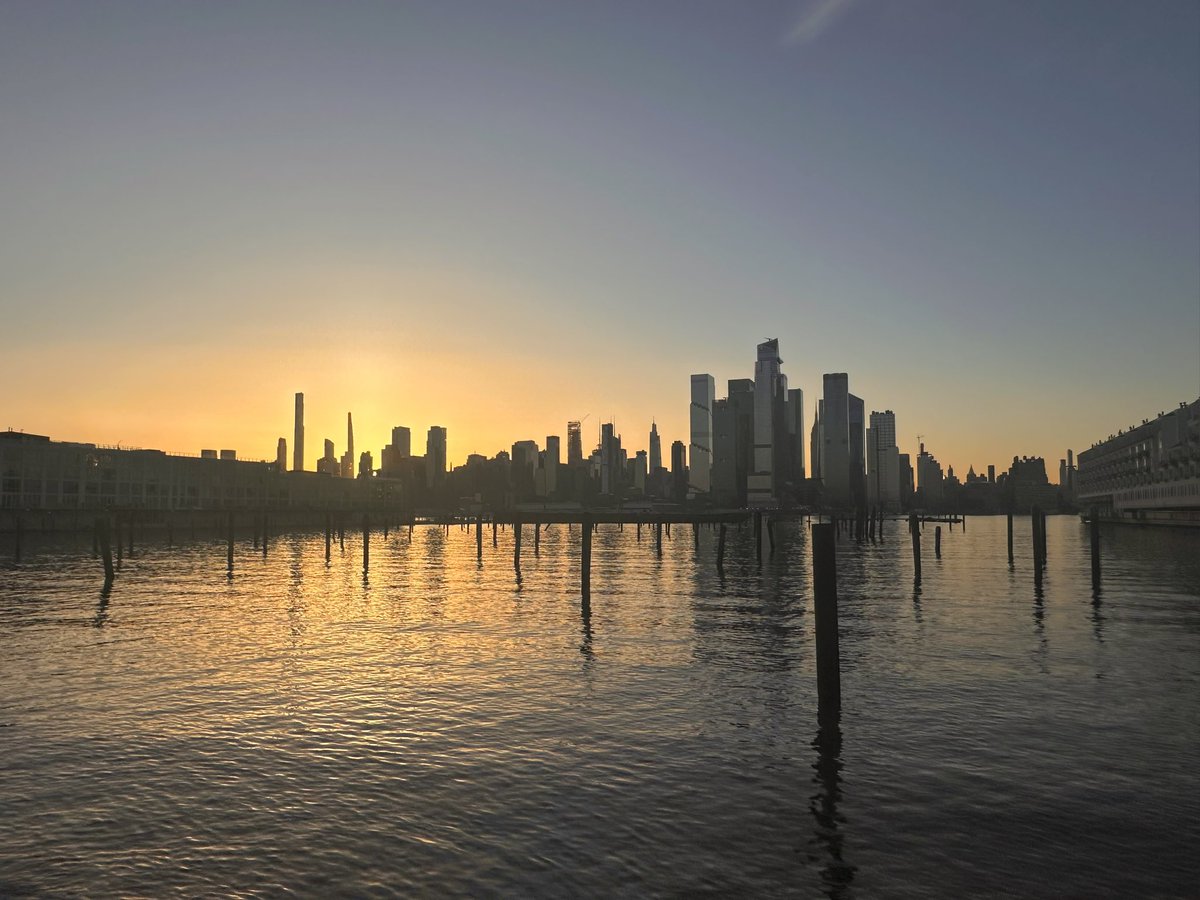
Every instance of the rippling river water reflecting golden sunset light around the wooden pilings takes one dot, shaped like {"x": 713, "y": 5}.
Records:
{"x": 441, "y": 730}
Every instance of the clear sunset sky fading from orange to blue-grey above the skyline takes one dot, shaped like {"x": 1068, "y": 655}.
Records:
{"x": 501, "y": 215}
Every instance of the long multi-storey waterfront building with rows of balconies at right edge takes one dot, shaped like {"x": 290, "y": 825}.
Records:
{"x": 1150, "y": 473}
